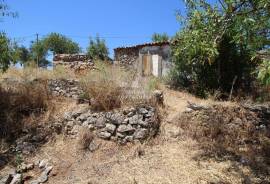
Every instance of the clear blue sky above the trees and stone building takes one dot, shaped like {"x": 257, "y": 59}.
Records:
{"x": 121, "y": 22}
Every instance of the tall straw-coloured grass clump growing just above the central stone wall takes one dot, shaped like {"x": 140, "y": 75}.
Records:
{"x": 111, "y": 87}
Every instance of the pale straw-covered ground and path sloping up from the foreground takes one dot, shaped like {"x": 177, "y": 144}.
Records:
{"x": 161, "y": 160}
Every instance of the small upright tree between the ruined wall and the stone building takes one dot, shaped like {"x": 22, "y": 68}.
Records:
{"x": 97, "y": 49}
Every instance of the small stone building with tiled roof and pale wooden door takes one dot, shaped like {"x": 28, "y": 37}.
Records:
{"x": 147, "y": 59}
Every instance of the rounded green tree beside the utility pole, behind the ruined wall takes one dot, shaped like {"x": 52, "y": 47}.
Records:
{"x": 60, "y": 44}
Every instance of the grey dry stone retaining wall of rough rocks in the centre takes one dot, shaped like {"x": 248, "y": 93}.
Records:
{"x": 123, "y": 126}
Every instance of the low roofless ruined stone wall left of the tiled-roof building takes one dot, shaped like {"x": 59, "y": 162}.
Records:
{"x": 73, "y": 61}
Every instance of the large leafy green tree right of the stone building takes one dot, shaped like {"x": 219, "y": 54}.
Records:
{"x": 216, "y": 44}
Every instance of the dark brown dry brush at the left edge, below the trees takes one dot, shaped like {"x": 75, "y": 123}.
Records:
{"x": 20, "y": 101}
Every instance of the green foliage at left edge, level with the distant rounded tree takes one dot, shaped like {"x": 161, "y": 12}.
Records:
{"x": 7, "y": 54}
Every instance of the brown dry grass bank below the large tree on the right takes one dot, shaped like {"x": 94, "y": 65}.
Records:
{"x": 230, "y": 133}
